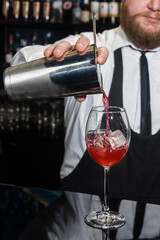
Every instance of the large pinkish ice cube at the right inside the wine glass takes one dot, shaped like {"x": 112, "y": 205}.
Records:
{"x": 116, "y": 139}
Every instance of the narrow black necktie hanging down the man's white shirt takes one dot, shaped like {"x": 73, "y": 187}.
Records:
{"x": 145, "y": 126}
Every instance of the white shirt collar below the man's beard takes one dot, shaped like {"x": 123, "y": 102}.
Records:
{"x": 121, "y": 41}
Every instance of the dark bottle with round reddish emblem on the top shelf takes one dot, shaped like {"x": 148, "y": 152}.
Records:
{"x": 67, "y": 11}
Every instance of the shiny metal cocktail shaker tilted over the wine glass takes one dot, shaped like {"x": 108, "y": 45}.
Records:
{"x": 48, "y": 78}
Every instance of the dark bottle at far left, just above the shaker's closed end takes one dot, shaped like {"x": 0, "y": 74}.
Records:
{"x": 9, "y": 53}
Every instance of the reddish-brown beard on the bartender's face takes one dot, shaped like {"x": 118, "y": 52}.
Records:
{"x": 137, "y": 34}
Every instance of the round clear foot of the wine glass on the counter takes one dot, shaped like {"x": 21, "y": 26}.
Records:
{"x": 105, "y": 220}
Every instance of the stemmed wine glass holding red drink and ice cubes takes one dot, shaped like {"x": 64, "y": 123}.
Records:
{"x": 107, "y": 137}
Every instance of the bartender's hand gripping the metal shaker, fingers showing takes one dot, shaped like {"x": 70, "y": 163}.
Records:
{"x": 60, "y": 50}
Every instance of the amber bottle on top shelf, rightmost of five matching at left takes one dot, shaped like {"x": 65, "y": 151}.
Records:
{"x": 46, "y": 10}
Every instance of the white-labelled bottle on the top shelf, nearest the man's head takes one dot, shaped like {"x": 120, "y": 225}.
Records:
{"x": 113, "y": 10}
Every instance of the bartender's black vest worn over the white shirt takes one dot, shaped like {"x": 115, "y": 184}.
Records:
{"x": 136, "y": 176}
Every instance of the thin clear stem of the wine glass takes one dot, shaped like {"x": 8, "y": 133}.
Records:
{"x": 106, "y": 195}
